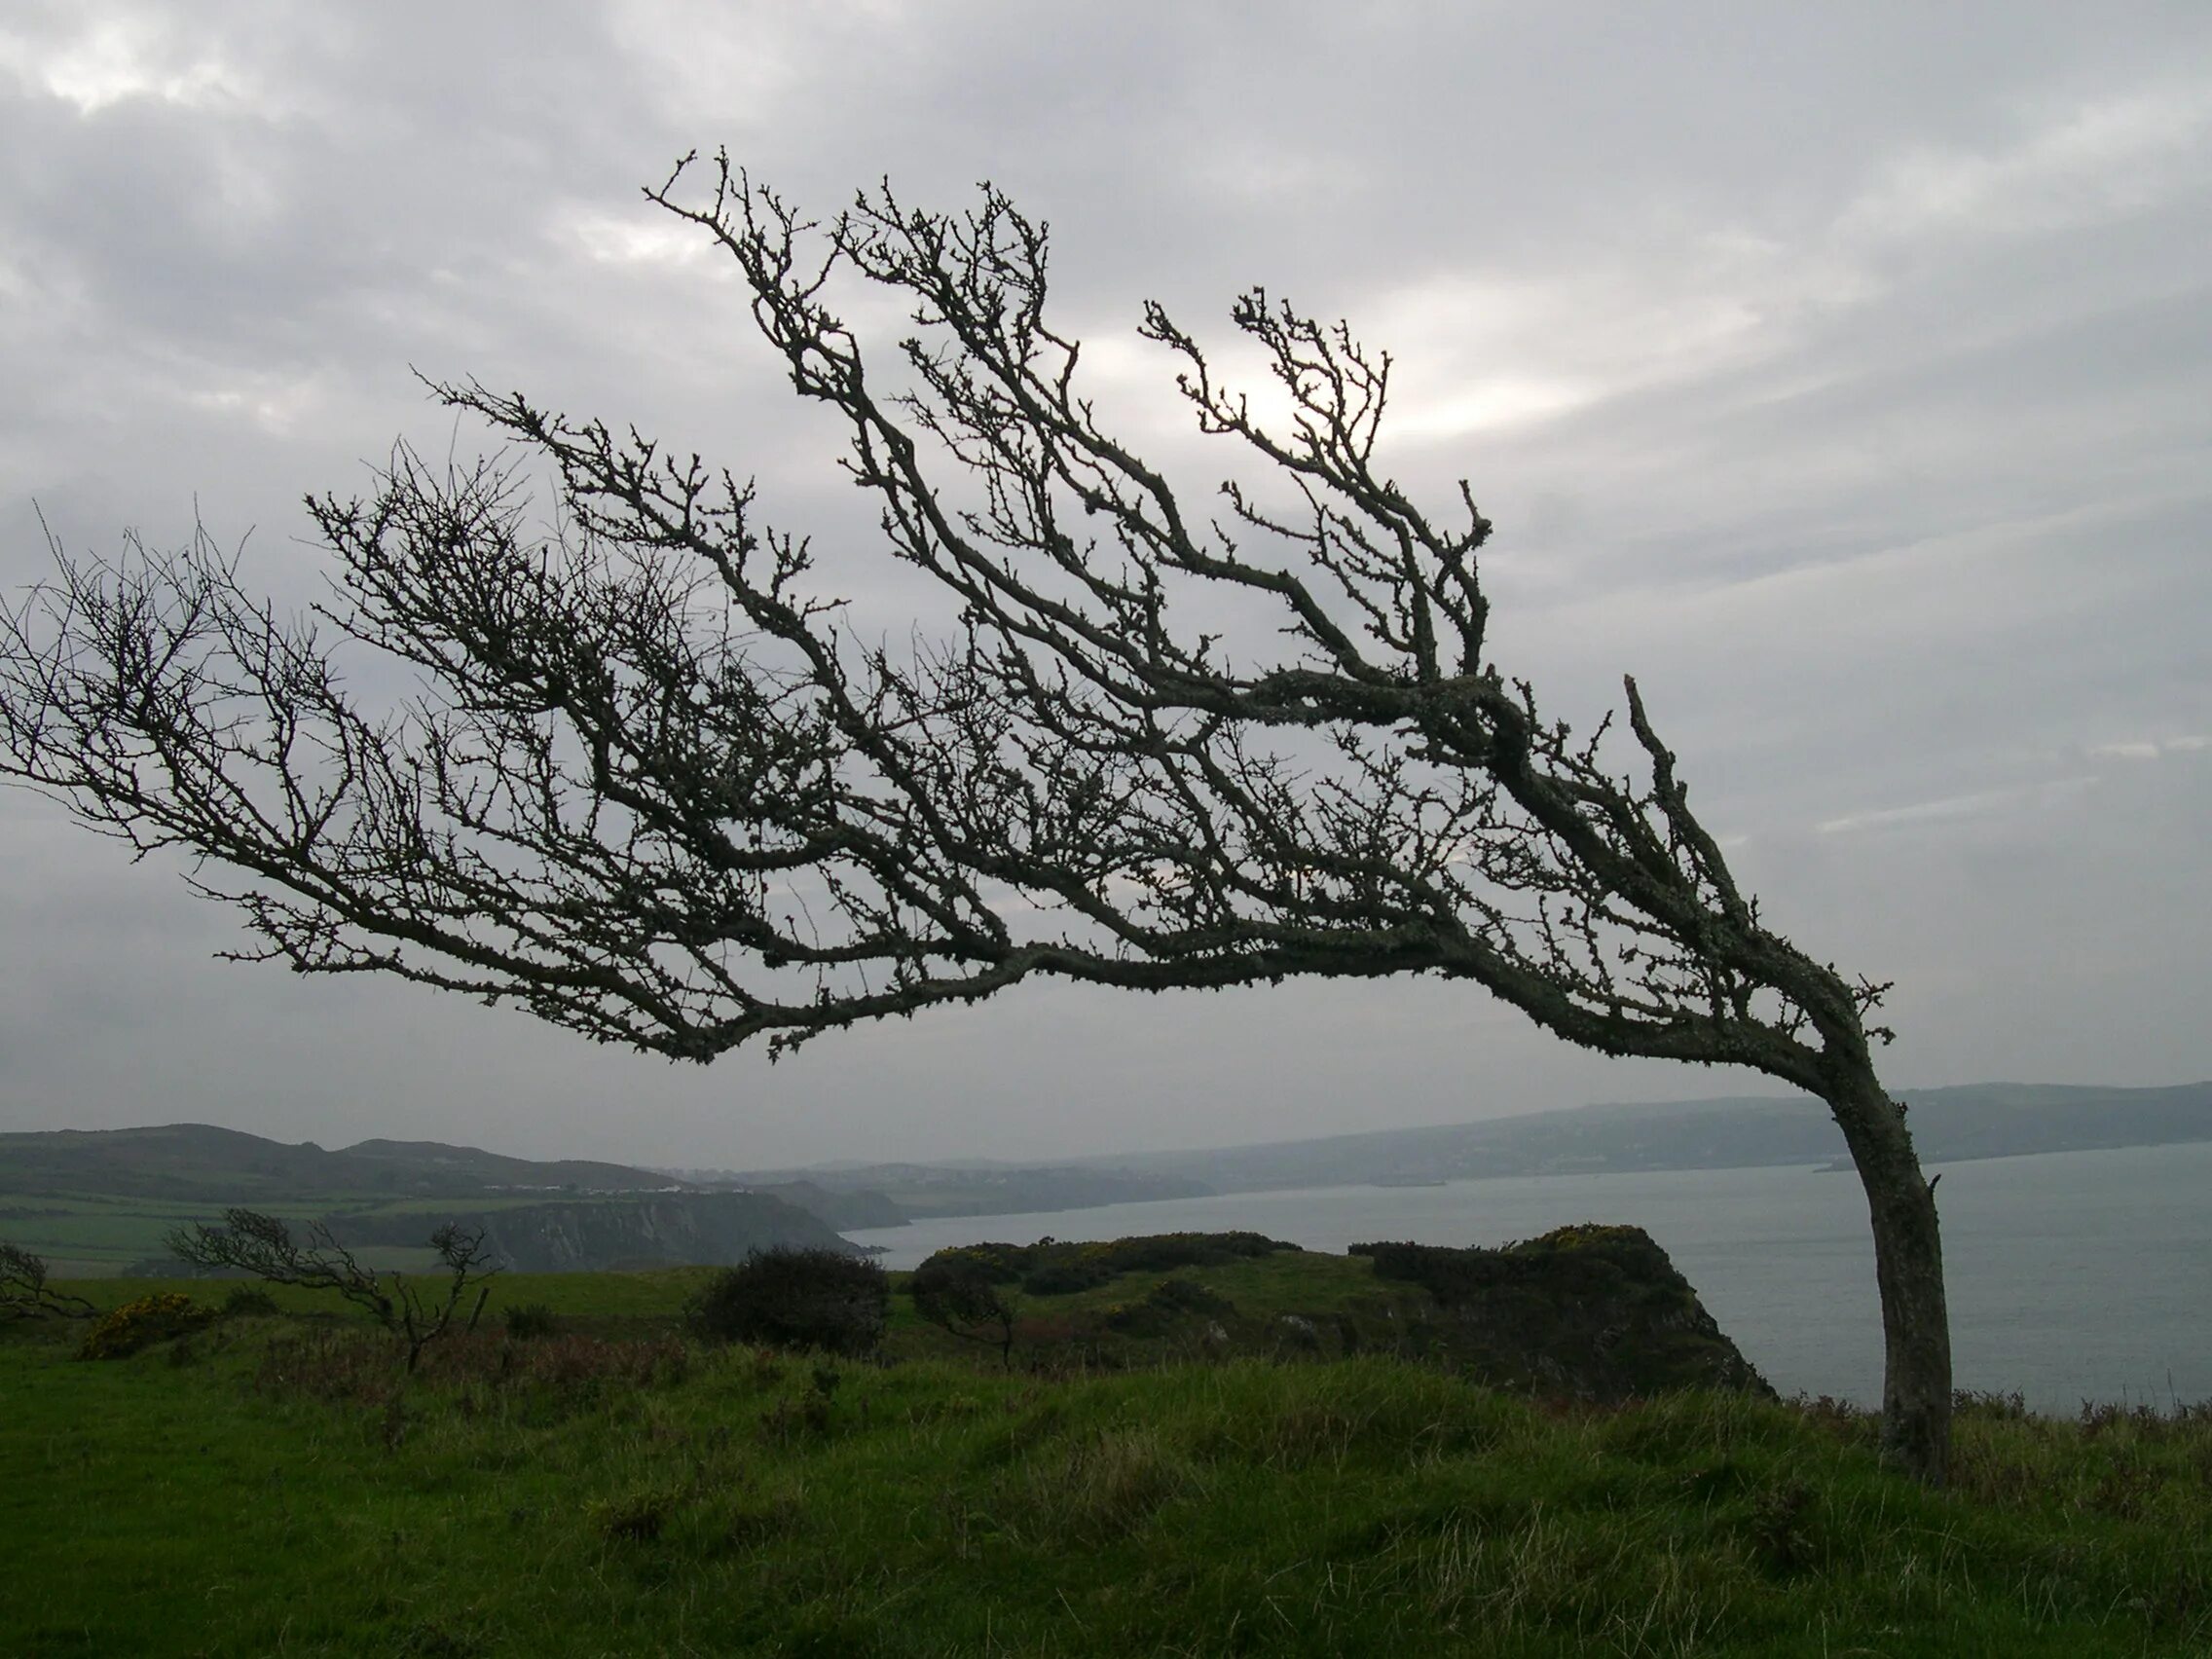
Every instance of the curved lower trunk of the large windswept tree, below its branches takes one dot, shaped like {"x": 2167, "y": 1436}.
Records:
{"x": 1908, "y": 1266}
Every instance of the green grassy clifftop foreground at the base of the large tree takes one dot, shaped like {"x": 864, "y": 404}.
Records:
{"x": 275, "y": 1485}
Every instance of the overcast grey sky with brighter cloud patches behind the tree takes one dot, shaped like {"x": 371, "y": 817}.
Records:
{"x": 1844, "y": 373}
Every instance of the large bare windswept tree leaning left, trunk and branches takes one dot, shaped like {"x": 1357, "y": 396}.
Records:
{"x": 660, "y": 791}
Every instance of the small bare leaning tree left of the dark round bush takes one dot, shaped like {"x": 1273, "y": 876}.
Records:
{"x": 264, "y": 1246}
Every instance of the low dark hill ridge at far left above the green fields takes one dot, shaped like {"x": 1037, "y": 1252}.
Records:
{"x": 231, "y": 1167}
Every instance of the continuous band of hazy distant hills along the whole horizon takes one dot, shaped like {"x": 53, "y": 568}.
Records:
{"x": 1950, "y": 1125}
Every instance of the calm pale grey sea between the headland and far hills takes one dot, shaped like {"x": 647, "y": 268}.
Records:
{"x": 2074, "y": 1275}
